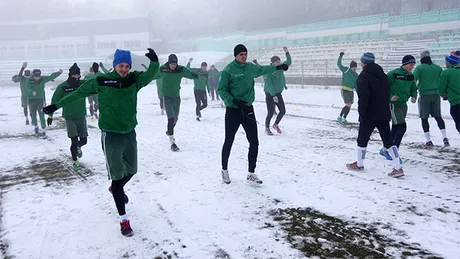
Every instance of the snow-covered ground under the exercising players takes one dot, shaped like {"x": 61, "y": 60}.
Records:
{"x": 180, "y": 209}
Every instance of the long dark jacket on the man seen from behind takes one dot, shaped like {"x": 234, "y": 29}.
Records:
{"x": 373, "y": 88}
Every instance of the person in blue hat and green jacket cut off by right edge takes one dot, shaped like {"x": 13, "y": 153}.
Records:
{"x": 449, "y": 85}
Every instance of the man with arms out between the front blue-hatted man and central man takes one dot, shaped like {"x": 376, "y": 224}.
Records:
{"x": 171, "y": 75}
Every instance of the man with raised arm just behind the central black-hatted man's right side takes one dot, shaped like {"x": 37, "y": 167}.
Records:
{"x": 273, "y": 87}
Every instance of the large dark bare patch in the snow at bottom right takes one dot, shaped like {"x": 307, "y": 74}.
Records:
{"x": 318, "y": 235}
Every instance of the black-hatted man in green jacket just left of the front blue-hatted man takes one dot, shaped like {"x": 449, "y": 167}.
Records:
{"x": 74, "y": 114}
